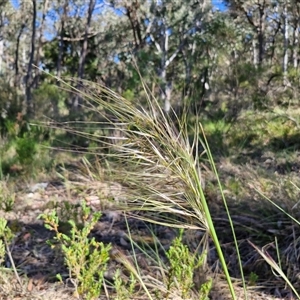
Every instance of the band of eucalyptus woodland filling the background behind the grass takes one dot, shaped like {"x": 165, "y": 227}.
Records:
{"x": 186, "y": 51}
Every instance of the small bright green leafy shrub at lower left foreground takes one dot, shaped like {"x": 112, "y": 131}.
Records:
{"x": 85, "y": 258}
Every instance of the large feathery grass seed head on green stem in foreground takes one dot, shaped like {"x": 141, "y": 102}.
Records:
{"x": 152, "y": 155}
